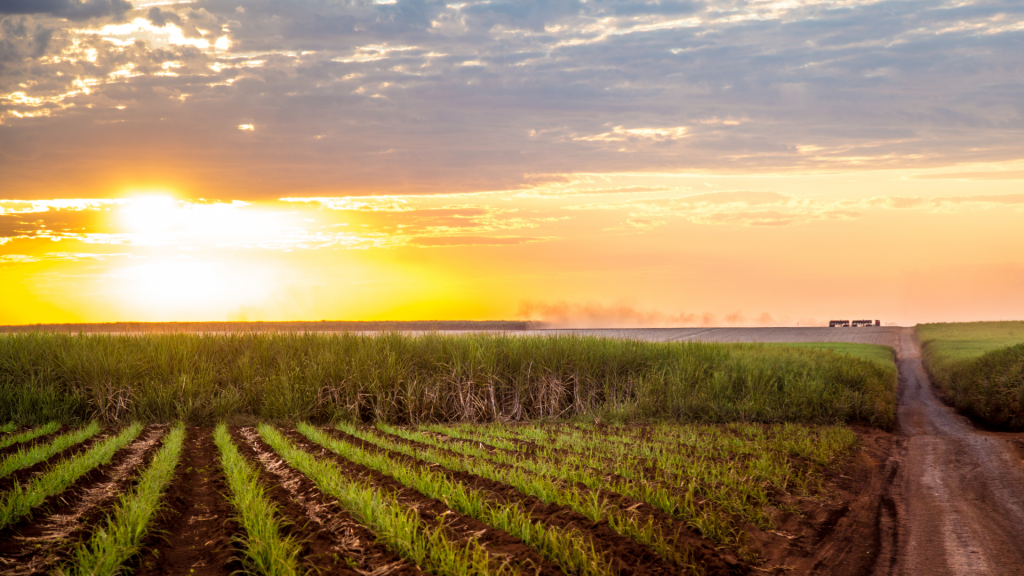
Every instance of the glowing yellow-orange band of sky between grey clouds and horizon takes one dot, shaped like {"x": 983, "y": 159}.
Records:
{"x": 692, "y": 251}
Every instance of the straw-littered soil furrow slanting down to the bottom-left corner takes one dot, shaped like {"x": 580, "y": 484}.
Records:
{"x": 38, "y": 546}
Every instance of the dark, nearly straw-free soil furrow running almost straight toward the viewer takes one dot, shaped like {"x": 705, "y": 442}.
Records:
{"x": 193, "y": 533}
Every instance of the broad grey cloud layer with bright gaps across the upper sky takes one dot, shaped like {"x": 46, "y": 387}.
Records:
{"x": 424, "y": 98}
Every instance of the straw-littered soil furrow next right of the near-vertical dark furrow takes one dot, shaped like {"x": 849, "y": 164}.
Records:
{"x": 333, "y": 542}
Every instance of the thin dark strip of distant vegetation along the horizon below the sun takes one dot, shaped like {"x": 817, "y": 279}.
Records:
{"x": 302, "y": 326}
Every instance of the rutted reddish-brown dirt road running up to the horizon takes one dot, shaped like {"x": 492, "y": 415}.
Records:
{"x": 961, "y": 503}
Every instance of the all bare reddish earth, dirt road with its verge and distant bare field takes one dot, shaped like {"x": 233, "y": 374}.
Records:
{"x": 950, "y": 503}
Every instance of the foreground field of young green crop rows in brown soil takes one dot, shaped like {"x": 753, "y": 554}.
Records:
{"x": 451, "y": 501}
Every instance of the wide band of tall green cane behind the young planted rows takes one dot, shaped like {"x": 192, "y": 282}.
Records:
{"x": 399, "y": 379}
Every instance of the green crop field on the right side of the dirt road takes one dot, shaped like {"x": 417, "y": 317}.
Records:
{"x": 979, "y": 368}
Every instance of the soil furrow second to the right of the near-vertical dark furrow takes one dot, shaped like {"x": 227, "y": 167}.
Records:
{"x": 458, "y": 527}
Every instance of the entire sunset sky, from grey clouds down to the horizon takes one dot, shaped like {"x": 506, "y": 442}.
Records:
{"x": 584, "y": 163}
